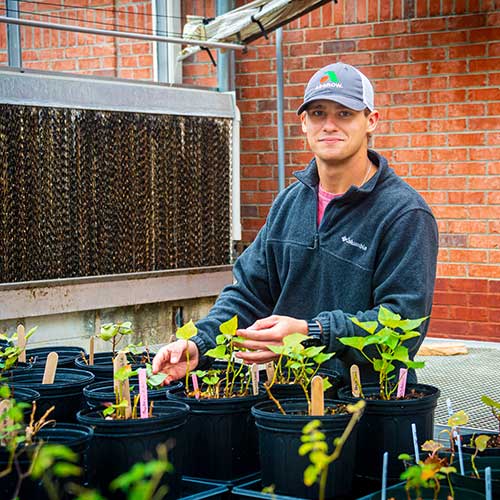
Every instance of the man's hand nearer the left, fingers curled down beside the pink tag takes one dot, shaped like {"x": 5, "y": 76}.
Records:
{"x": 171, "y": 359}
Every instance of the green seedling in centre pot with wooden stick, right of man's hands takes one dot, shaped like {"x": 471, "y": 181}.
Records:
{"x": 297, "y": 364}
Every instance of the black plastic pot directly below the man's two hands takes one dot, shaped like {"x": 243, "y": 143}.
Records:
{"x": 222, "y": 437}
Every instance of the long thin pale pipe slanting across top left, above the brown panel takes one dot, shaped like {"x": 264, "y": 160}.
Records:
{"x": 120, "y": 34}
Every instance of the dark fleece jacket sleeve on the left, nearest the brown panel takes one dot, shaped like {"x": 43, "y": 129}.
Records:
{"x": 249, "y": 296}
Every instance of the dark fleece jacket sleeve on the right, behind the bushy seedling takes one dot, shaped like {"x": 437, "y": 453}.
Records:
{"x": 403, "y": 281}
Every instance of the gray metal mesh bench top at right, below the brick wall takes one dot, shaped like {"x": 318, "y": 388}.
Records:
{"x": 464, "y": 379}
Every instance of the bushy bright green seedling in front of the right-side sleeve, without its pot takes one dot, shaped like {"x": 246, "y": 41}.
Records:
{"x": 386, "y": 337}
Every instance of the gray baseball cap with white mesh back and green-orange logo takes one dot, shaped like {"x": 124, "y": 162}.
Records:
{"x": 340, "y": 83}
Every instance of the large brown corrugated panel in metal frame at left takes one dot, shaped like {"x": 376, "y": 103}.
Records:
{"x": 87, "y": 192}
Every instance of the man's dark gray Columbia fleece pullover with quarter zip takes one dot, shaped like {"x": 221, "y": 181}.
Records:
{"x": 376, "y": 245}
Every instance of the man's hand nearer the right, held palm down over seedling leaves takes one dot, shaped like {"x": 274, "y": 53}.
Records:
{"x": 265, "y": 332}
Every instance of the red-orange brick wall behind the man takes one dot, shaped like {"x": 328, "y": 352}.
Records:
{"x": 436, "y": 71}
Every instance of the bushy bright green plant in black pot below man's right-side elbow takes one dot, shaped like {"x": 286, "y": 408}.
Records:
{"x": 388, "y": 417}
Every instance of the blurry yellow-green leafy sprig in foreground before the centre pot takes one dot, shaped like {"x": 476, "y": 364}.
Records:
{"x": 315, "y": 445}
